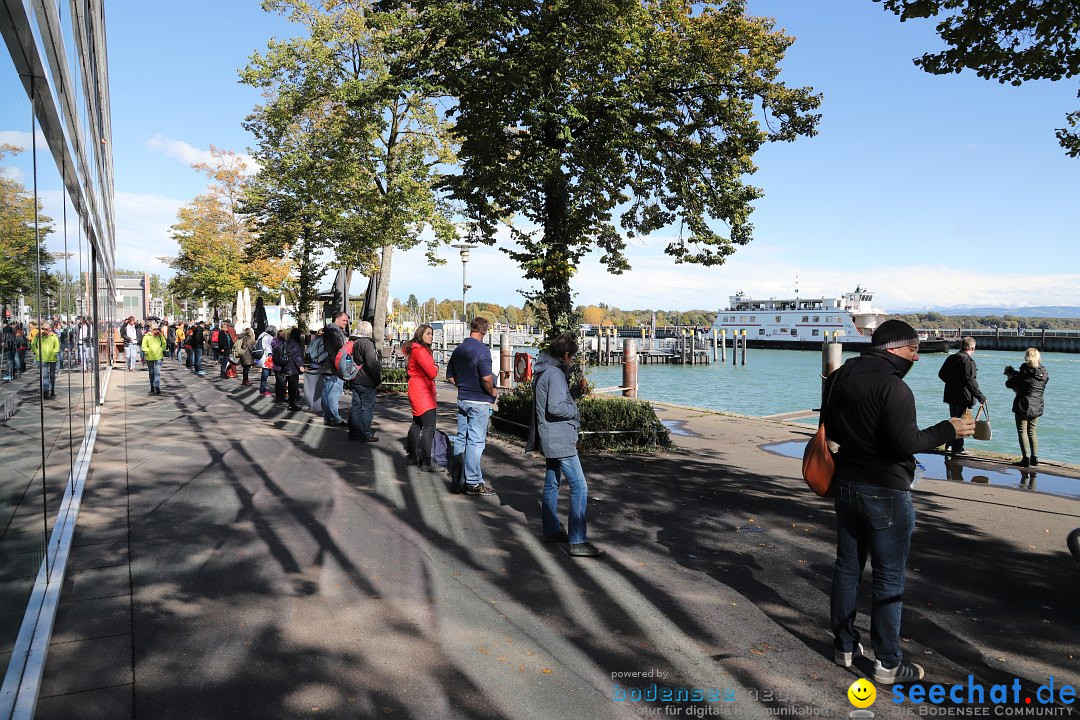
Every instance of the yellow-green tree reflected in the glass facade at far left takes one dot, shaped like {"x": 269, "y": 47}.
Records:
{"x": 24, "y": 261}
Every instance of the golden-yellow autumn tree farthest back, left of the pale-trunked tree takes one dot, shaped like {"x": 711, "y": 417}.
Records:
{"x": 214, "y": 236}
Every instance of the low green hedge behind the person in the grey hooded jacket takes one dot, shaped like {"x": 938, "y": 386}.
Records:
{"x": 600, "y": 417}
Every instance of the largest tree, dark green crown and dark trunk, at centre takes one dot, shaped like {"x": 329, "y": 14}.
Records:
{"x": 568, "y": 114}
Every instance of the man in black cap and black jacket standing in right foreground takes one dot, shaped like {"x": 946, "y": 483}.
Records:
{"x": 871, "y": 414}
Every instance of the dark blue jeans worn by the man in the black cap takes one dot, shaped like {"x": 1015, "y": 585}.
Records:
{"x": 880, "y": 522}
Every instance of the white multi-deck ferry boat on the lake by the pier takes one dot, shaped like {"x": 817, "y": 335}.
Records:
{"x": 802, "y": 323}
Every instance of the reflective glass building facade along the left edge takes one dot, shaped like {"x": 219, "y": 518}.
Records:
{"x": 58, "y": 298}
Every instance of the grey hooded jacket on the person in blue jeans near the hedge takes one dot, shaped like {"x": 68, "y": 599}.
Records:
{"x": 556, "y": 419}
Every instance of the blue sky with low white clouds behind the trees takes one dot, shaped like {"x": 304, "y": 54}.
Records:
{"x": 930, "y": 191}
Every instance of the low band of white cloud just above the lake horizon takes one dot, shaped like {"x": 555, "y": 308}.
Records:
{"x": 760, "y": 270}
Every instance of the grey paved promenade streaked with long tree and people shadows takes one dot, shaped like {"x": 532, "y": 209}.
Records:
{"x": 235, "y": 561}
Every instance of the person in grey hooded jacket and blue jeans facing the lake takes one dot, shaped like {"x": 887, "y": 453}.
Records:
{"x": 555, "y": 433}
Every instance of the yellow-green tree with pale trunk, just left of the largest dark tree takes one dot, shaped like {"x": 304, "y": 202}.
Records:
{"x": 388, "y": 133}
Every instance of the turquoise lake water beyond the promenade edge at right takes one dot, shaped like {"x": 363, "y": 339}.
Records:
{"x": 776, "y": 382}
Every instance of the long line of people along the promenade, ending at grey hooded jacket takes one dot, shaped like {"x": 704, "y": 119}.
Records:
{"x": 334, "y": 358}
